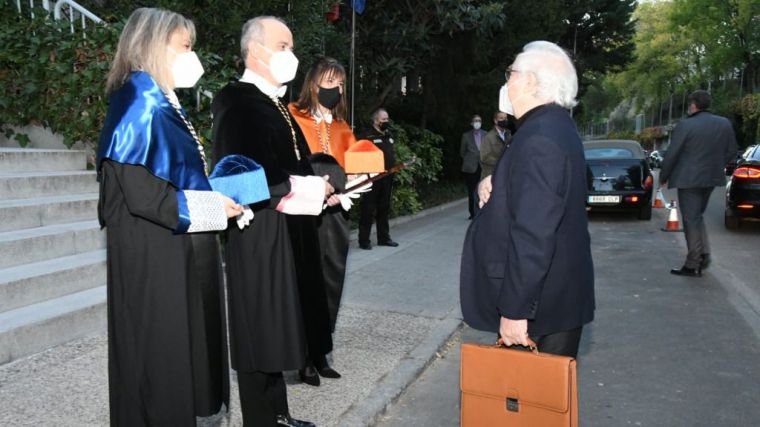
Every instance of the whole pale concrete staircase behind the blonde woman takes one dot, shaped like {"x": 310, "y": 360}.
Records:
{"x": 52, "y": 251}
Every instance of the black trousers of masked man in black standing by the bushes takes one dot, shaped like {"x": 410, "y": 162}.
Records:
{"x": 376, "y": 205}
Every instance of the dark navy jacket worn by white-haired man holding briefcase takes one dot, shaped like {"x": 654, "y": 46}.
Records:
{"x": 527, "y": 255}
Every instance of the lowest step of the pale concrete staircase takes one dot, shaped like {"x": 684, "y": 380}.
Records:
{"x": 34, "y": 328}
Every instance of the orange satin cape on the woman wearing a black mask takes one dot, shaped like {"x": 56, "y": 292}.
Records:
{"x": 341, "y": 136}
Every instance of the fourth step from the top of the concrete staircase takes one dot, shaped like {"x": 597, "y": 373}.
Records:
{"x": 51, "y": 241}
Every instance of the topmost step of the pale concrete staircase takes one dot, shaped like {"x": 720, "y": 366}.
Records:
{"x": 43, "y": 160}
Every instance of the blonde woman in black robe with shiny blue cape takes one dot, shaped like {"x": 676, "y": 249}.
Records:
{"x": 167, "y": 349}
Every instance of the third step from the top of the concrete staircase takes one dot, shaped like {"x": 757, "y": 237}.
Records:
{"x": 17, "y": 214}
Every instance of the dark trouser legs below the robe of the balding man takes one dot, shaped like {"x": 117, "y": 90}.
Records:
{"x": 262, "y": 397}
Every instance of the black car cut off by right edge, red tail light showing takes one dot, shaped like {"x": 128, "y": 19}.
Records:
{"x": 743, "y": 188}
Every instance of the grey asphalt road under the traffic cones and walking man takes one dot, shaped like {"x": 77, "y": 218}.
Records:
{"x": 663, "y": 350}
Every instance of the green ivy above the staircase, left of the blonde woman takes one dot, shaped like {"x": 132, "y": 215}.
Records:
{"x": 52, "y": 78}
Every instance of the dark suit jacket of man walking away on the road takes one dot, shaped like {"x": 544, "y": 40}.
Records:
{"x": 700, "y": 147}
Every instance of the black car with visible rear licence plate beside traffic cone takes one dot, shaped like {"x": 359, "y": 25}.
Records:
{"x": 619, "y": 177}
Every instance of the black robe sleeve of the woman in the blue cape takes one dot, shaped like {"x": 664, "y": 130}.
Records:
{"x": 145, "y": 195}
